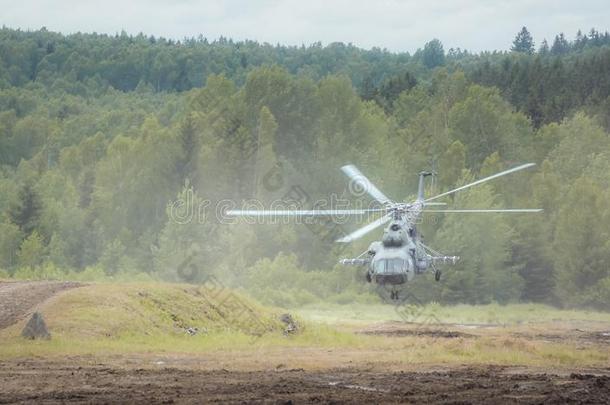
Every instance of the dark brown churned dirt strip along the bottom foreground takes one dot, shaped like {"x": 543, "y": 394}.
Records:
{"x": 52, "y": 382}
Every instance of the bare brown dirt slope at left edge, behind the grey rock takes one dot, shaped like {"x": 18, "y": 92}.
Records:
{"x": 18, "y": 299}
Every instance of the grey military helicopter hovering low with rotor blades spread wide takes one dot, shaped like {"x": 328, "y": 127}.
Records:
{"x": 400, "y": 255}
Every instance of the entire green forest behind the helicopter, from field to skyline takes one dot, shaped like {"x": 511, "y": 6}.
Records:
{"x": 116, "y": 152}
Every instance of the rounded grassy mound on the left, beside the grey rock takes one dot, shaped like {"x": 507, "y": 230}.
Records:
{"x": 153, "y": 309}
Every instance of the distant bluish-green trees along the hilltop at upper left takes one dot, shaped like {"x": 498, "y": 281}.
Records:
{"x": 124, "y": 61}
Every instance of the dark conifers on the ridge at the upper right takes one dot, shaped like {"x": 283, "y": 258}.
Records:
{"x": 546, "y": 85}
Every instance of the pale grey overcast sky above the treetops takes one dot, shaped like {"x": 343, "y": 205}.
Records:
{"x": 398, "y": 25}
